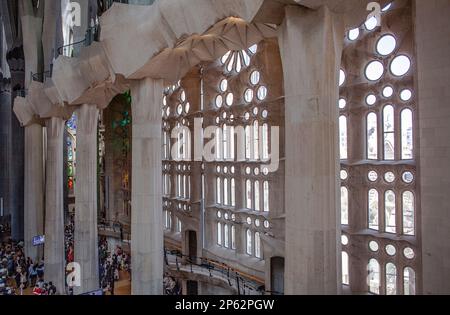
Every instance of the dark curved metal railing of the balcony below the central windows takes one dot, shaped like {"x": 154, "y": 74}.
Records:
{"x": 244, "y": 284}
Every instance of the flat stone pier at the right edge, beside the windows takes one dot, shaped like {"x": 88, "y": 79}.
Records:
{"x": 433, "y": 74}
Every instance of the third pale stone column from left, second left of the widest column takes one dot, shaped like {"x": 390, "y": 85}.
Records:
{"x": 86, "y": 233}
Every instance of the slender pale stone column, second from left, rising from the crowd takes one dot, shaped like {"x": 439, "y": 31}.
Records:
{"x": 54, "y": 216}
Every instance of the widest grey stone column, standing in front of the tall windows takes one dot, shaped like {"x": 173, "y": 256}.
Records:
{"x": 311, "y": 46}
